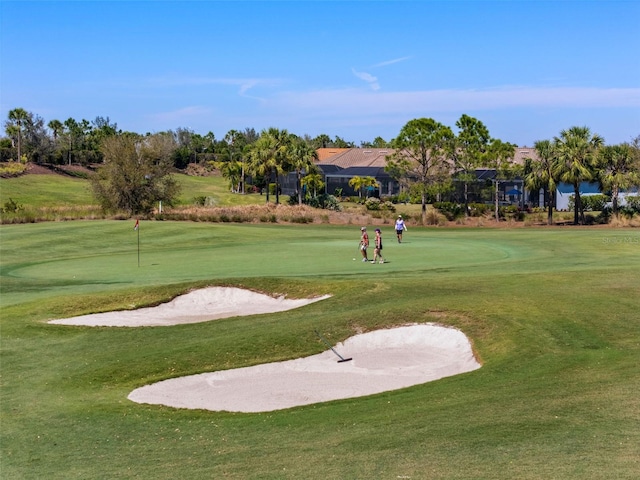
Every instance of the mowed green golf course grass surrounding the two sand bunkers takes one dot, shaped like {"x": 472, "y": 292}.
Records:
{"x": 553, "y": 315}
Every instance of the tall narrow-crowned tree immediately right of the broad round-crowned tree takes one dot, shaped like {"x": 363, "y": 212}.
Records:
{"x": 467, "y": 150}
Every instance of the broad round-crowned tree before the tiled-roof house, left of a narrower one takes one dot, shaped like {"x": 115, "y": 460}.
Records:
{"x": 420, "y": 156}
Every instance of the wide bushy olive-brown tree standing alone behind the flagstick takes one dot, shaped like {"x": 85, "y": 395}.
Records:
{"x": 136, "y": 173}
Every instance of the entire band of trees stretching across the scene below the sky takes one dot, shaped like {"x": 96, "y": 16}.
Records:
{"x": 428, "y": 159}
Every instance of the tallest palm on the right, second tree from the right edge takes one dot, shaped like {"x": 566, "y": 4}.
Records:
{"x": 577, "y": 152}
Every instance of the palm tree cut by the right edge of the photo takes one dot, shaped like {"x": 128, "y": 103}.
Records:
{"x": 619, "y": 170}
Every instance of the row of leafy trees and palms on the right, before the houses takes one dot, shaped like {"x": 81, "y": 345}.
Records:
{"x": 429, "y": 158}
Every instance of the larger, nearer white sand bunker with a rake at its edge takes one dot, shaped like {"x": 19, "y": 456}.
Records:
{"x": 383, "y": 360}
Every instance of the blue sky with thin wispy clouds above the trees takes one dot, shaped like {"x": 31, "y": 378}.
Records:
{"x": 357, "y": 70}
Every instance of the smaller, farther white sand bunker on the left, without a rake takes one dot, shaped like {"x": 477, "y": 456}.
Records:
{"x": 198, "y": 306}
